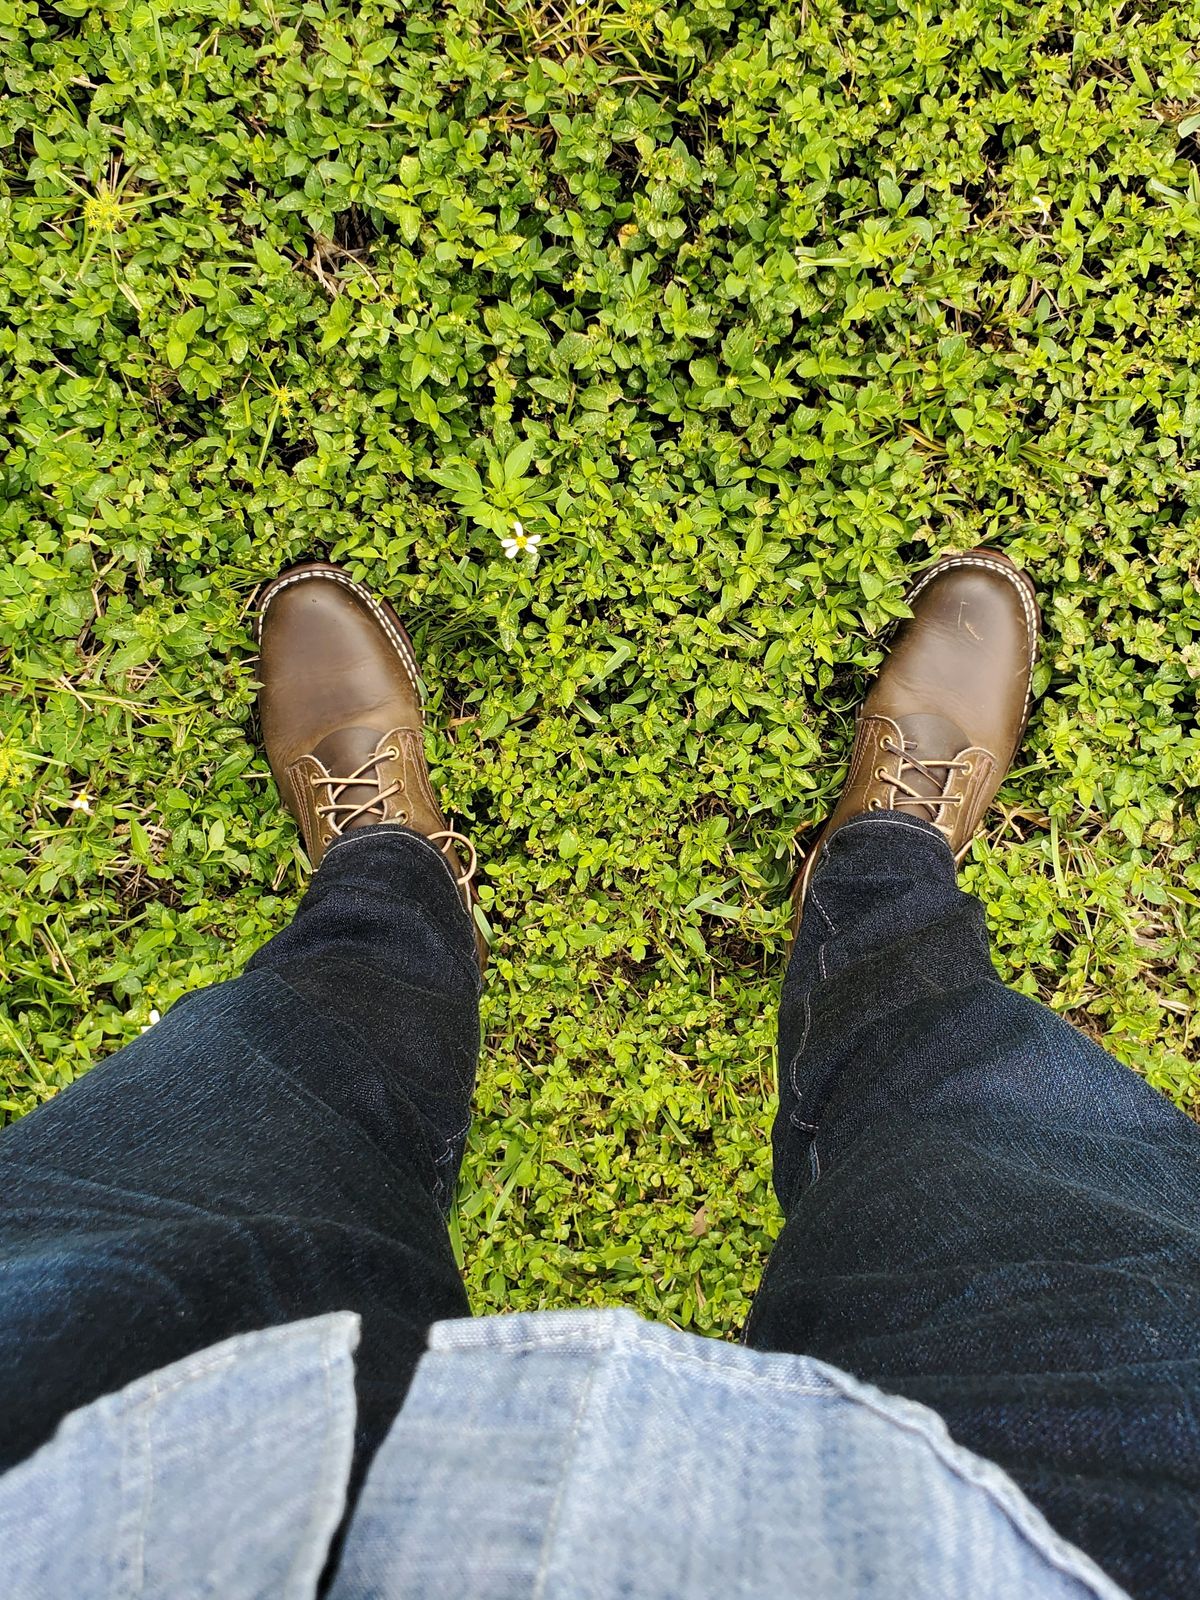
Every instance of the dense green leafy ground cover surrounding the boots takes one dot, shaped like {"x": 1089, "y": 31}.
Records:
{"x": 746, "y": 313}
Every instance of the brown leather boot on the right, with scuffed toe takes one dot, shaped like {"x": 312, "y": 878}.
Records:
{"x": 945, "y": 718}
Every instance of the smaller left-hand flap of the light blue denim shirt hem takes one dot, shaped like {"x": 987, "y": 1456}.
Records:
{"x": 223, "y": 1476}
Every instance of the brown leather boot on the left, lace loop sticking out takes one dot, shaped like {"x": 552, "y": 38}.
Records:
{"x": 342, "y": 716}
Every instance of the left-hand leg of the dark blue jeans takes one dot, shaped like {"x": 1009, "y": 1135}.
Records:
{"x": 276, "y": 1148}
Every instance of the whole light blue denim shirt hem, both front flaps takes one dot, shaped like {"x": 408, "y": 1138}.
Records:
{"x": 559, "y": 1455}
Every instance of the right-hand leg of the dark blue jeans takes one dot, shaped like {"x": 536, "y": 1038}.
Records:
{"x": 985, "y": 1210}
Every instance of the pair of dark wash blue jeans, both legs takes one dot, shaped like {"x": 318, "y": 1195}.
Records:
{"x": 985, "y": 1210}
